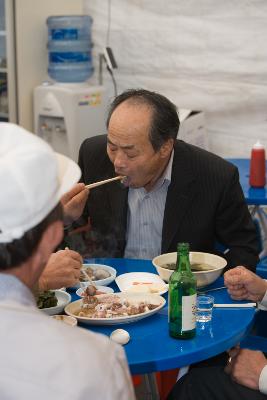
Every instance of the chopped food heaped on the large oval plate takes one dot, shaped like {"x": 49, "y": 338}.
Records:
{"x": 112, "y": 306}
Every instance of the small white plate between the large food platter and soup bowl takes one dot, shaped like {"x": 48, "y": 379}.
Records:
{"x": 147, "y": 283}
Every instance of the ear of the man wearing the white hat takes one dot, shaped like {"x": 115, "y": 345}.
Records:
{"x": 51, "y": 238}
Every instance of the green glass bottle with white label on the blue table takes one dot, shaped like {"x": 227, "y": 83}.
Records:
{"x": 182, "y": 297}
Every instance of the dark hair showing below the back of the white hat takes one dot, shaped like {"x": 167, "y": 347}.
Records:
{"x": 20, "y": 250}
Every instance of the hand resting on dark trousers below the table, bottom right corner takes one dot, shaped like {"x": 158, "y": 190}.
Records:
{"x": 245, "y": 367}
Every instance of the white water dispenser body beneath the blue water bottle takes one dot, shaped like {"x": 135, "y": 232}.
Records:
{"x": 66, "y": 114}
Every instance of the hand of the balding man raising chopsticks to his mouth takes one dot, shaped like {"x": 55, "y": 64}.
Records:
{"x": 73, "y": 202}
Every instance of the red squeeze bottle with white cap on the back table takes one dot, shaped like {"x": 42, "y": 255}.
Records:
{"x": 257, "y": 176}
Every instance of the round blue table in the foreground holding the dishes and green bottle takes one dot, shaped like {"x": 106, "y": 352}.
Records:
{"x": 152, "y": 349}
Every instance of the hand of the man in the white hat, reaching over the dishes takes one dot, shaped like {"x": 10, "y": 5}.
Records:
{"x": 62, "y": 270}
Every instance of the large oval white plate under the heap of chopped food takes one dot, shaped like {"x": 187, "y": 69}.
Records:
{"x": 74, "y": 307}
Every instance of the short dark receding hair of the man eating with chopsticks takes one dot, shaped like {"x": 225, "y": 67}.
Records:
{"x": 165, "y": 121}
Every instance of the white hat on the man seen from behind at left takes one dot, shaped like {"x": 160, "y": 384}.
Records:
{"x": 32, "y": 180}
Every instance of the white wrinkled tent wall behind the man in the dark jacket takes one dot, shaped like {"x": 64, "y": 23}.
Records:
{"x": 203, "y": 54}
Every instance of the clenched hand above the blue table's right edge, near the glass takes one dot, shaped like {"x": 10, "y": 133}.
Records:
{"x": 243, "y": 284}
